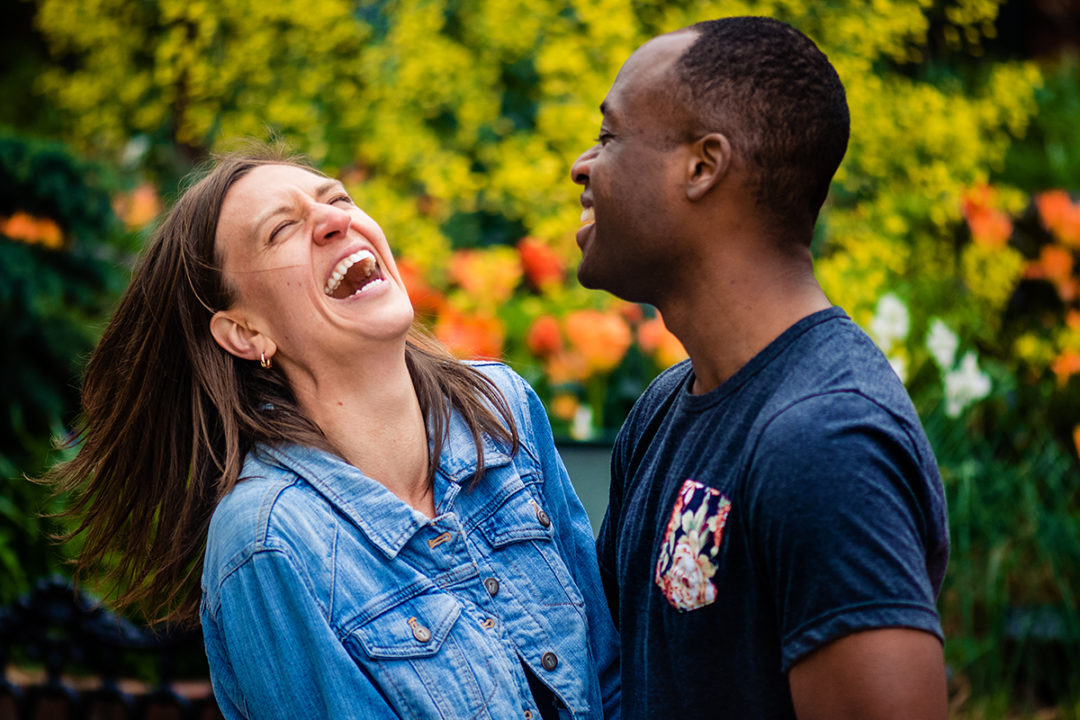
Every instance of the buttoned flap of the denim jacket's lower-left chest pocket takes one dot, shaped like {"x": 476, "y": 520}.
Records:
{"x": 415, "y": 629}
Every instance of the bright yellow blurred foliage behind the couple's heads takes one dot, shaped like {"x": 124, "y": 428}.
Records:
{"x": 433, "y": 110}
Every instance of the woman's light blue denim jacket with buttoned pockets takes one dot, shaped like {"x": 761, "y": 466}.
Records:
{"x": 327, "y": 596}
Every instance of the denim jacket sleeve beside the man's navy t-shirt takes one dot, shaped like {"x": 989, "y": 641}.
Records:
{"x": 575, "y": 537}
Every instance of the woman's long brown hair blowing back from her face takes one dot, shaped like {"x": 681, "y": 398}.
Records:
{"x": 168, "y": 416}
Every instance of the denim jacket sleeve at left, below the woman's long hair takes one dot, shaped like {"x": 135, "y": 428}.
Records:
{"x": 273, "y": 654}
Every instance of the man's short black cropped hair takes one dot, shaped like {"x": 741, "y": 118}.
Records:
{"x": 778, "y": 100}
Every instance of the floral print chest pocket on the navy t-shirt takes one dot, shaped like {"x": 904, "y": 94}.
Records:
{"x": 688, "y": 554}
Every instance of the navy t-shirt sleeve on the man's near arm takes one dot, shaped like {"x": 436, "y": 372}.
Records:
{"x": 840, "y": 522}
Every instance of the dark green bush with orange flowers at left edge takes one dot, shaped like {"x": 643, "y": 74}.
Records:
{"x": 59, "y": 277}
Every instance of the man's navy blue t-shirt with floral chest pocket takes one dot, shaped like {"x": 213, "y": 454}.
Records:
{"x": 796, "y": 504}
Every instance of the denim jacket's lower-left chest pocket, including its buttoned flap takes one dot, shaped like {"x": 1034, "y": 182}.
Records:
{"x": 424, "y": 661}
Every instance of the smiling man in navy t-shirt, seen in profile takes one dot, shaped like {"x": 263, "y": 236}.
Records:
{"x": 777, "y": 536}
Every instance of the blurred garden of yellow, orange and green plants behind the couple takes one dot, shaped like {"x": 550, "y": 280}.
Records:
{"x": 952, "y": 234}
